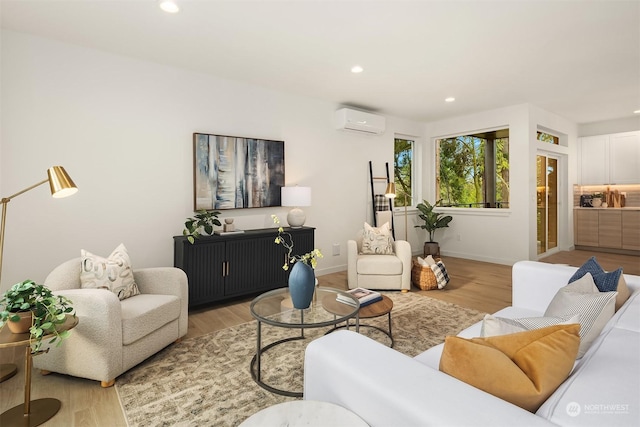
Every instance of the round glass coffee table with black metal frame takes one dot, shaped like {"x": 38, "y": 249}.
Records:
{"x": 273, "y": 308}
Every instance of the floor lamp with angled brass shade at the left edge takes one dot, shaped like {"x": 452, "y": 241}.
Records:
{"x": 61, "y": 186}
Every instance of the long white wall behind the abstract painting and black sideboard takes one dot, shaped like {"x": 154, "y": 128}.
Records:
{"x": 123, "y": 130}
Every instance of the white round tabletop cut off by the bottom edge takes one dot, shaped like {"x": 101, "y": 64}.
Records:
{"x": 304, "y": 413}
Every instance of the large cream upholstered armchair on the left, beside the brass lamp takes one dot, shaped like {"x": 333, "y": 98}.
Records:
{"x": 113, "y": 336}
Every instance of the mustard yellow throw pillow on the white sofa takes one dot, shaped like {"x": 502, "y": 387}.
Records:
{"x": 524, "y": 368}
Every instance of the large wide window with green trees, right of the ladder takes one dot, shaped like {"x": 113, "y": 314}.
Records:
{"x": 472, "y": 171}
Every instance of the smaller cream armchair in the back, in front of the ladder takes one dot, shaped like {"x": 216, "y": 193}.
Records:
{"x": 381, "y": 272}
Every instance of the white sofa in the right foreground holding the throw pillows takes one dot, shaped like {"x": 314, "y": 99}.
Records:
{"x": 387, "y": 388}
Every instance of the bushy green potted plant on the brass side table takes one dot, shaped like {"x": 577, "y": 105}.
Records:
{"x": 38, "y": 303}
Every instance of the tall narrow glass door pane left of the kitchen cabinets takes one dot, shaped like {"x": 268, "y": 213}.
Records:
{"x": 547, "y": 202}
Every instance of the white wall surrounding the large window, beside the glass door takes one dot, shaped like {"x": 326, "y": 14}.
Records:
{"x": 496, "y": 235}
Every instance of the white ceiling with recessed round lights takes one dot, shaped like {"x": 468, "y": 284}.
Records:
{"x": 578, "y": 59}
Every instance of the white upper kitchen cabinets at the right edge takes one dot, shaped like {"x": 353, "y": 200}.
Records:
{"x": 610, "y": 159}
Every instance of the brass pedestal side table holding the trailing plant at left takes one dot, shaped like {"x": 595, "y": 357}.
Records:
{"x": 31, "y": 412}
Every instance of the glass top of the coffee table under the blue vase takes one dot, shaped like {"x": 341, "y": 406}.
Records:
{"x": 275, "y": 308}
